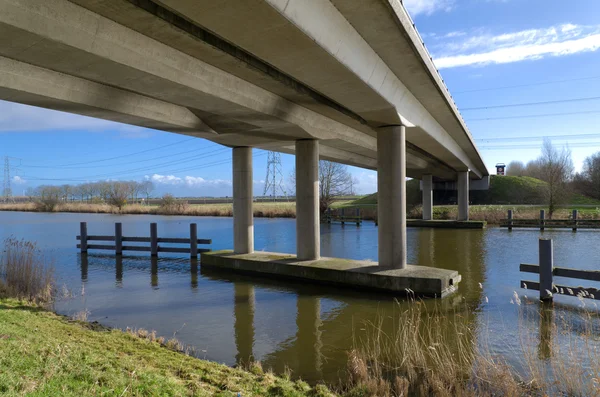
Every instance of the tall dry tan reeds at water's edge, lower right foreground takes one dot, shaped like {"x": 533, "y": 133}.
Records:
{"x": 424, "y": 356}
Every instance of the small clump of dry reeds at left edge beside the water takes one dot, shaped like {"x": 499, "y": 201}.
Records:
{"x": 24, "y": 273}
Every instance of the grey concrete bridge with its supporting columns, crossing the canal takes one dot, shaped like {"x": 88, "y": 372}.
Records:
{"x": 348, "y": 81}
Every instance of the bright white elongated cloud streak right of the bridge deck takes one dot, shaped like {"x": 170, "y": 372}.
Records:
{"x": 531, "y": 44}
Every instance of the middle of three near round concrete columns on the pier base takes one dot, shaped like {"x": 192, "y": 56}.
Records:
{"x": 308, "y": 245}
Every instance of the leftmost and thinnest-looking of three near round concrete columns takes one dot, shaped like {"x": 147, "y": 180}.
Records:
{"x": 243, "y": 222}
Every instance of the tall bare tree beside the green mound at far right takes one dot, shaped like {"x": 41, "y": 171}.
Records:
{"x": 556, "y": 169}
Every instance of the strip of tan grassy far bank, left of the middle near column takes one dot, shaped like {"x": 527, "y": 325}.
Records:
{"x": 261, "y": 210}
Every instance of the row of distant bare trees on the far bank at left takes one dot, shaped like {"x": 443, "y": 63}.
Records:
{"x": 111, "y": 192}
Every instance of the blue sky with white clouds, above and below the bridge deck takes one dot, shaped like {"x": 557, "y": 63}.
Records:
{"x": 491, "y": 53}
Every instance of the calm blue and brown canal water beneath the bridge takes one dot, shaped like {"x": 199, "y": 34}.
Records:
{"x": 309, "y": 329}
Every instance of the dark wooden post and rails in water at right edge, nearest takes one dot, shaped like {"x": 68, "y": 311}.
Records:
{"x": 547, "y": 271}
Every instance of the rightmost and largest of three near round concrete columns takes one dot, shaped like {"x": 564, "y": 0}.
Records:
{"x": 391, "y": 196}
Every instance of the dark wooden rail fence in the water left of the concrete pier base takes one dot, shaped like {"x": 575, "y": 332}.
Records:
{"x": 193, "y": 241}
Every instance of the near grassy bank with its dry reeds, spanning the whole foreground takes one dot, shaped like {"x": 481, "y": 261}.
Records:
{"x": 429, "y": 352}
